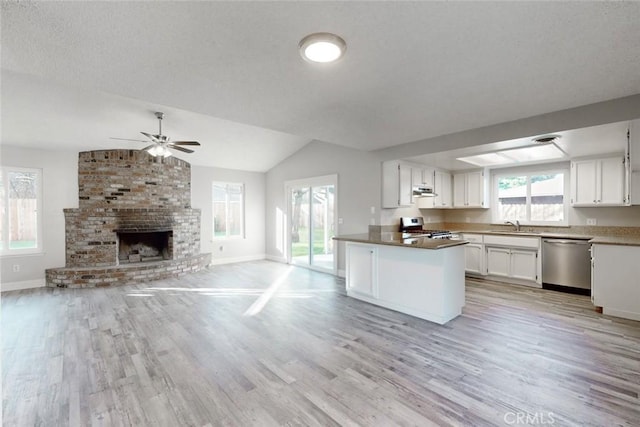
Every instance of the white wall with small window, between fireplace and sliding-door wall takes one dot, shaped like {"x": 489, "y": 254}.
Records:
{"x": 231, "y": 250}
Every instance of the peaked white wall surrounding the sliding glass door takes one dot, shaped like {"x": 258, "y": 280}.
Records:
{"x": 358, "y": 190}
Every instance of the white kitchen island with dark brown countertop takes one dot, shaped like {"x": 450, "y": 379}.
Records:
{"x": 418, "y": 276}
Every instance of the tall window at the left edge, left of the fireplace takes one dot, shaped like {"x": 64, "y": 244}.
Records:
{"x": 20, "y": 196}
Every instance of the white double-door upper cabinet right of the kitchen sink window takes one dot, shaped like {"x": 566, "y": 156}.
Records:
{"x": 598, "y": 182}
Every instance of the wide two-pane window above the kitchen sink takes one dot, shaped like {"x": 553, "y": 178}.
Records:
{"x": 532, "y": 198}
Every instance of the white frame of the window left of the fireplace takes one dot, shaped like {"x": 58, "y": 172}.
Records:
{"x": 6, "y": 251}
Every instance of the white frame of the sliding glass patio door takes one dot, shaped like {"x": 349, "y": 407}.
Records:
{"x": 313, "y": 182}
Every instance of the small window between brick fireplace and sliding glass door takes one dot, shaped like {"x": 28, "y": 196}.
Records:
{"x": 228, "y": 210}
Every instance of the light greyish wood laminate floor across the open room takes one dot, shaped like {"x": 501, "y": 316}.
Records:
{"x": 263, "y": 343}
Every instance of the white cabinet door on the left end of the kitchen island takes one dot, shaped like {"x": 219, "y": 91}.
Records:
{"x": 361, "y": 269}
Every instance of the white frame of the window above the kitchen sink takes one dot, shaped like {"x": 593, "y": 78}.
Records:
{"x": 529, "y": 172}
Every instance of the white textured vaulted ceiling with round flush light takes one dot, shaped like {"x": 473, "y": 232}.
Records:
{"x": 413, "y": 70}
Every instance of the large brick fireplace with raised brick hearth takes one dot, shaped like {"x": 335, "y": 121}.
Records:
{"x": 134, "y": 221}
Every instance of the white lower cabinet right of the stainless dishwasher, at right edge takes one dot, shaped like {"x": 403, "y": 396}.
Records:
{"x": 614, "y": 280}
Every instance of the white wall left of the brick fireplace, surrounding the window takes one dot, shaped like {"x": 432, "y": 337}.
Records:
{"x": 60, "y": 190}
